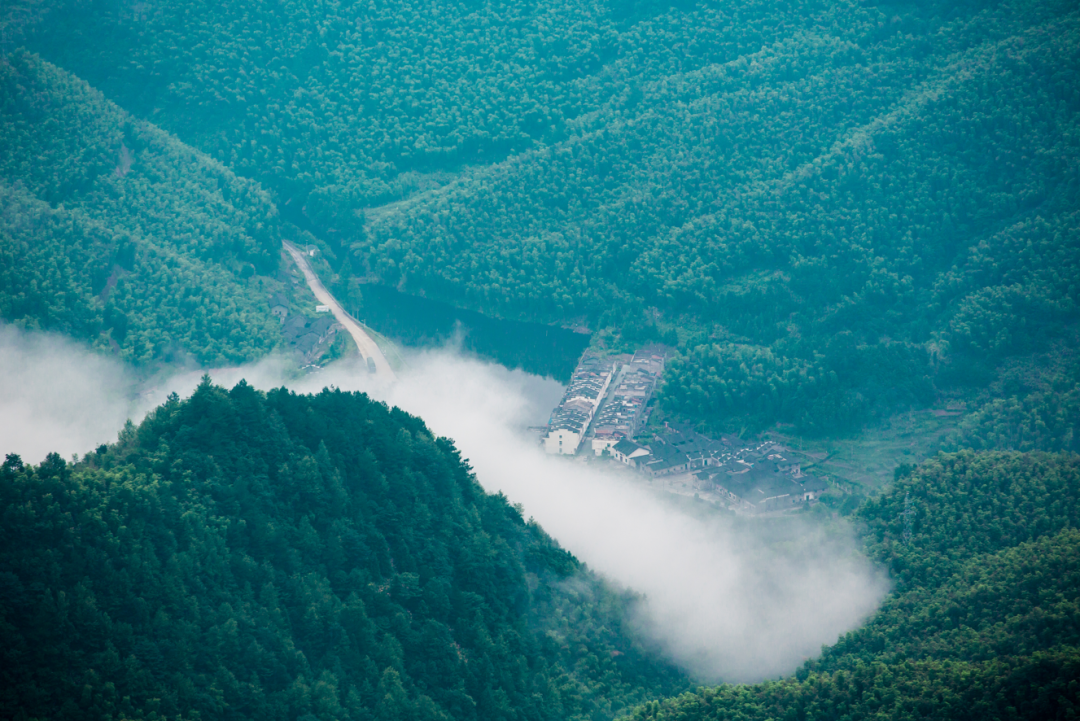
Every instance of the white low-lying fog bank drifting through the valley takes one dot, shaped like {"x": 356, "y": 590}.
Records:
{"x": 724, "y": 598}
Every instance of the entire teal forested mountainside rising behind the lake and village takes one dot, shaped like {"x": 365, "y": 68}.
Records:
{"x": 835, "y": 210}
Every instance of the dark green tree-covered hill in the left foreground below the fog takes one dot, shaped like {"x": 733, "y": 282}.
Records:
{"x": 279, "y": 556}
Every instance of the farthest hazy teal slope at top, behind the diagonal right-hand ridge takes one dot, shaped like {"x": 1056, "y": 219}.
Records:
{"x": 346, "y": 100}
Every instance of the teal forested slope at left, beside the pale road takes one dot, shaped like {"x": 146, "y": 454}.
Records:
{"x": 114, "y": 232}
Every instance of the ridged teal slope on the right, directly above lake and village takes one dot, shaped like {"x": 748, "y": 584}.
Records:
{"x": 835, "y": 226}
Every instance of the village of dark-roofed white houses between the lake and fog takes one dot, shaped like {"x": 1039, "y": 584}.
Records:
{"x": 605, "y": 414}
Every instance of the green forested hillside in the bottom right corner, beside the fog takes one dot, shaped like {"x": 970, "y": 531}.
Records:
{"x": 985, "y": 619}
